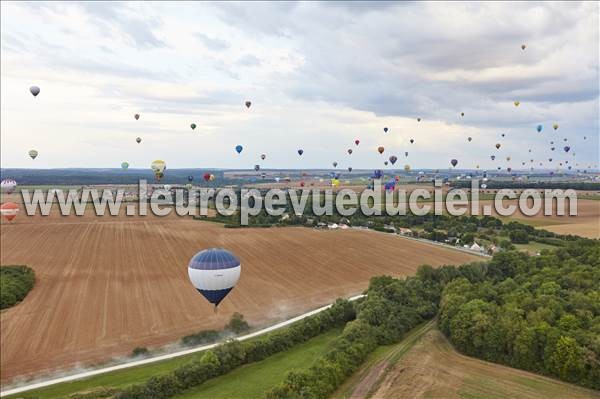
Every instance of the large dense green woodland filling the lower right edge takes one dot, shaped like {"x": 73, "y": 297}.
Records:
{"x": 536, "y": 313}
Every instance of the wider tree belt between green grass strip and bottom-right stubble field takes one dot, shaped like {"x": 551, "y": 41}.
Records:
{"x": 392, "y": 308}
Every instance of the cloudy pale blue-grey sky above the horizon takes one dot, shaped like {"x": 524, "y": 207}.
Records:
{"x": 319, "y": 75}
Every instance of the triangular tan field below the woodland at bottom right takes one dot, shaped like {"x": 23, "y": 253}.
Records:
{"x": 433, "y": 369}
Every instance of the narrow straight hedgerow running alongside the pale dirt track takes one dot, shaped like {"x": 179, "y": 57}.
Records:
{"x": 234, "y": 354}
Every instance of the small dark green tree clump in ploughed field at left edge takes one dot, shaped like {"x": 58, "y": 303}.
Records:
{"x": 15, "y": 283}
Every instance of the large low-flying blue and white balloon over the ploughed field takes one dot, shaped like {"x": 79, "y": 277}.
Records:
{"x": 214, "y": 272}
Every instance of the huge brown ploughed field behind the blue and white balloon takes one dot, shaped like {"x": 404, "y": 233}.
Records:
{"x": 108, "y": 284}
